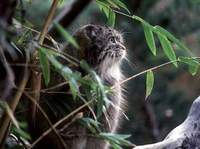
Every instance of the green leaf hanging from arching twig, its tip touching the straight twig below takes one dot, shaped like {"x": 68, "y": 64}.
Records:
{"x": 168, "y": 50}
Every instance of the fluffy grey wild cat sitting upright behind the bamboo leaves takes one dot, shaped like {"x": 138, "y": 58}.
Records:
{"x": 103, "y": 50}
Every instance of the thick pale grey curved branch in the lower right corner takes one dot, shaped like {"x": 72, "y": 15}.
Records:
{"x": 186, "y": 135}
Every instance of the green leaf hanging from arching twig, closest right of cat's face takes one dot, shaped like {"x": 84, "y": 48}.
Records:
{"x": 149, "y": 37}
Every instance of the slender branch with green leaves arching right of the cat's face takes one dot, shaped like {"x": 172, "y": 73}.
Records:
{"x": 166, "y": 39}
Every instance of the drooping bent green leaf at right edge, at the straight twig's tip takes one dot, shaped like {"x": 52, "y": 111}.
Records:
{"x": 192, "y": 63}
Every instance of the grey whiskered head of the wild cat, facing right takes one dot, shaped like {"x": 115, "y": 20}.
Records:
{"x": 101, "y": 45}
